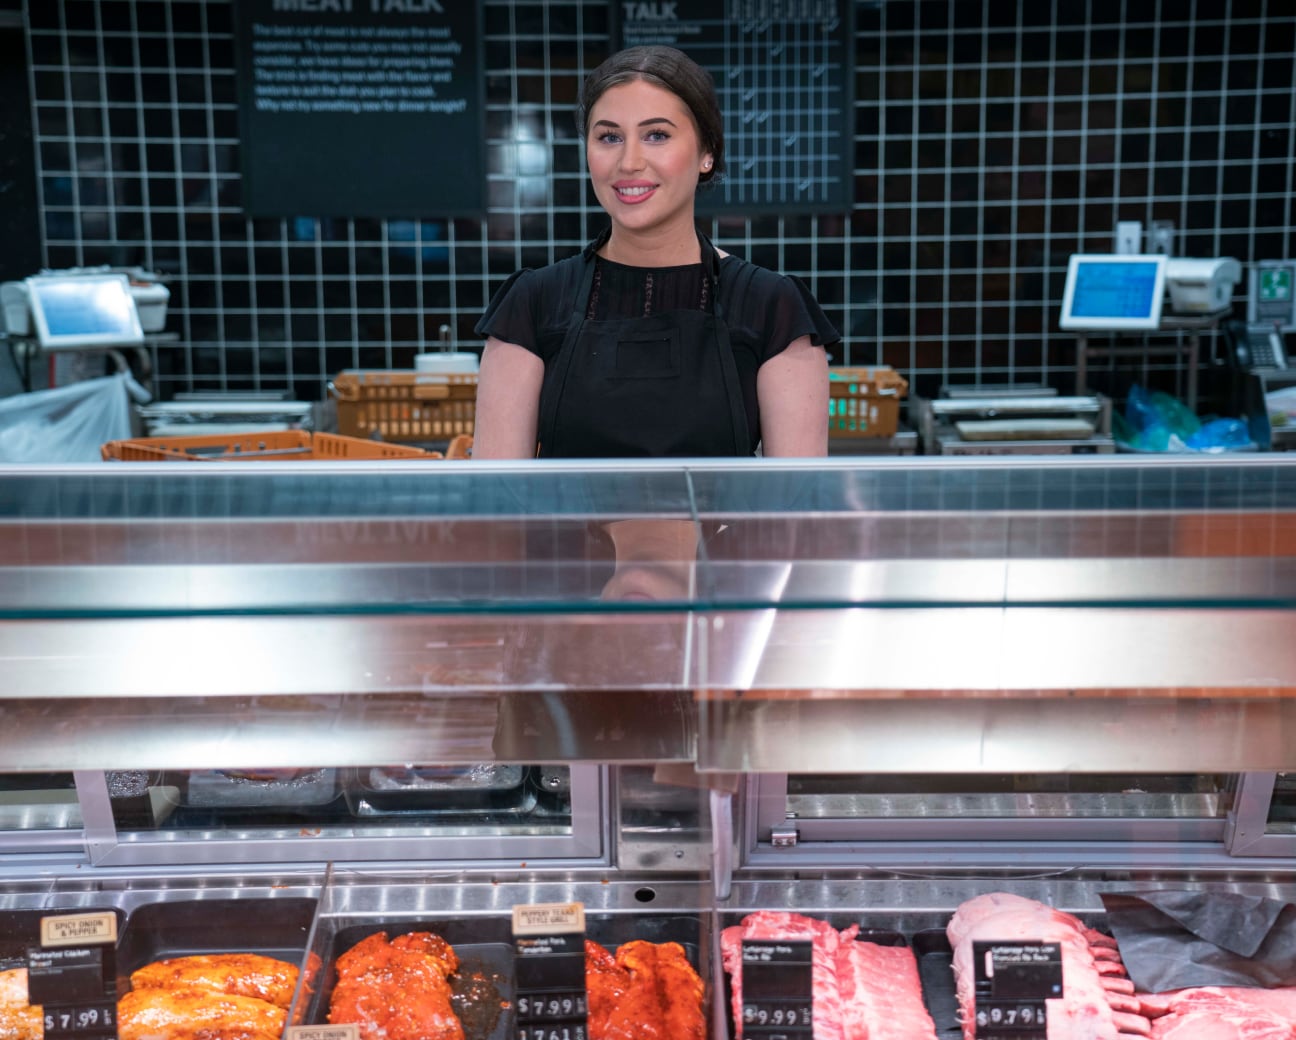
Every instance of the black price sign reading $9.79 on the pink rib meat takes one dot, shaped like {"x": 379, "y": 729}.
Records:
{"x": 1013, "y": 982}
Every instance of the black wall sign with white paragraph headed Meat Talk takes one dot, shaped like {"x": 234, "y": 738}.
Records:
{"x": 361, "y": 108}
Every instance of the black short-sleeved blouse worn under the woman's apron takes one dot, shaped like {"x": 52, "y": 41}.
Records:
{"x": 764, "y": 311}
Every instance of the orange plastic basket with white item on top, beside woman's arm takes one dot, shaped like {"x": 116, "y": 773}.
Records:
{"x": 405, "y": 405}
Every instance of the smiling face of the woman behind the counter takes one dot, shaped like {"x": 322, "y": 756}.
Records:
{"x": 645, "y": 156}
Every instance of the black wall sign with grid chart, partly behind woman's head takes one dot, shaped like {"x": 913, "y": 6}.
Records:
{"x": 783, "y": 75}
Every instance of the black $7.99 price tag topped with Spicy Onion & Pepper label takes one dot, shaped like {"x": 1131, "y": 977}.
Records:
{"x": 72, "y": 977}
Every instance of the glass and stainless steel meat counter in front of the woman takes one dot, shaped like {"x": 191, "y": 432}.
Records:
{"x": 865, "y": 692}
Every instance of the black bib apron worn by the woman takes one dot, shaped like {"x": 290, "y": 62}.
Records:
{"x": 656, "y": 387}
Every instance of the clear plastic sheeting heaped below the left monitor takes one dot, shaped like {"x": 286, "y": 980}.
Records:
{"x": 68, "y": 425}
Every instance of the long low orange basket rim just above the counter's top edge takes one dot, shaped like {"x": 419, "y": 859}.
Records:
{"x": 283, "y": 445}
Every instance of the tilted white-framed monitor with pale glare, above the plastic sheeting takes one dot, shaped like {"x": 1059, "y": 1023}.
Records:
{"x": 84, "y": 312}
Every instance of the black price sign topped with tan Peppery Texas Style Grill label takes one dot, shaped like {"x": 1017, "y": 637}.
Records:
{"x": 549, "y": 967}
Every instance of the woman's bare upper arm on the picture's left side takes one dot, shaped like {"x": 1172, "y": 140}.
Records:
{"x": 509, "y": 403}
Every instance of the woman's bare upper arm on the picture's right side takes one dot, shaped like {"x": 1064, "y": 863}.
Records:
{"x": 793, "y": 388}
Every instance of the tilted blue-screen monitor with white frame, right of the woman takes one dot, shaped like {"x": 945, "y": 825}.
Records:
{"x": 1114, "y": 292}
